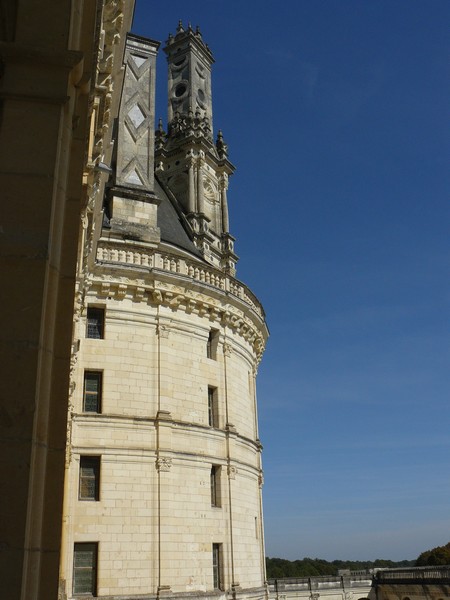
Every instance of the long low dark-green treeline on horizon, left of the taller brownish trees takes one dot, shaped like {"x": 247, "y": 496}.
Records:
{"x": 310, "y": 567}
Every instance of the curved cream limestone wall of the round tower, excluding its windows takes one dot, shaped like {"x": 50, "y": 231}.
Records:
{"x": 154, "y": 521}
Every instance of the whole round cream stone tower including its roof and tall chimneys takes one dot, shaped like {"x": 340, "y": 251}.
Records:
{"x": 163, "y": 466}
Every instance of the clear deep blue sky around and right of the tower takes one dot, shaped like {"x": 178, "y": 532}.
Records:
{"x": 337, "y": 117}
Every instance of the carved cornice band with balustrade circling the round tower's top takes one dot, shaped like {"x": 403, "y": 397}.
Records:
{"x": 160, "y": 278}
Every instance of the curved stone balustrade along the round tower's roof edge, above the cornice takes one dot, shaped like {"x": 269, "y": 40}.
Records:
{"x": 121, "y": 254}
